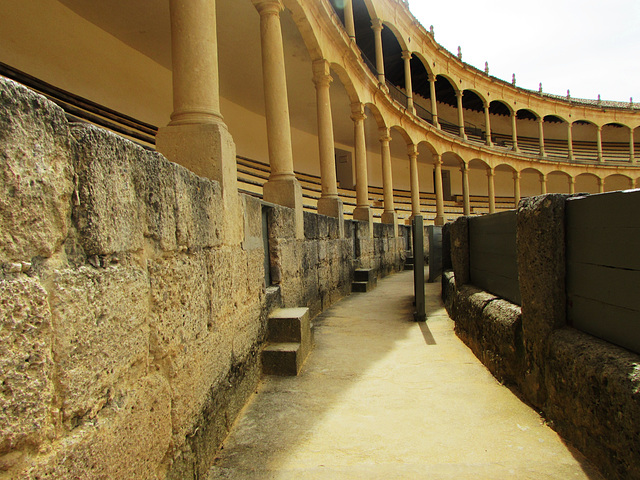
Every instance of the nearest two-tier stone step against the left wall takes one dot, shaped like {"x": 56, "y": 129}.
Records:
{"x": 289, "y": 339}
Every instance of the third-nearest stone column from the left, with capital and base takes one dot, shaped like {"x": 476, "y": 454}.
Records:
{"x": 329, "y": 202}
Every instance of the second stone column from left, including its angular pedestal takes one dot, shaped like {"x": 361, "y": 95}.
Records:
{"x": 282, "y": 187}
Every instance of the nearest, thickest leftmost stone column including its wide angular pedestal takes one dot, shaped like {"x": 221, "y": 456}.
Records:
{"x": 197, "y": 137}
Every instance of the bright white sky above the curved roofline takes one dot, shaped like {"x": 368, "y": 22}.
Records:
{"x": 588, "y": 46}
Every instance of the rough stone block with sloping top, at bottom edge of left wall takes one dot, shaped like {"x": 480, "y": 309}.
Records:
{"x": 128, "y": 439}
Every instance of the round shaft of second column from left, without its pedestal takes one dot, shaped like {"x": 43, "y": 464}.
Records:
{"x": 275, "y": 90}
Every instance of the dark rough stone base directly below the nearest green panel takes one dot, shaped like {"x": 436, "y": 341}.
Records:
{"x": 594, "y": 400}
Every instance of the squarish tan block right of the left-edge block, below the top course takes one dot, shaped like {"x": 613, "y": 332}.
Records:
{"x": 100, "y": 320}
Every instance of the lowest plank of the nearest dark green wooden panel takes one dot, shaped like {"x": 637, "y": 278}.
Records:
{"x": 611, "y": 323}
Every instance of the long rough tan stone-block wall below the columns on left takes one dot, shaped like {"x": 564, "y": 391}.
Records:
{"x": 131, "y": 323}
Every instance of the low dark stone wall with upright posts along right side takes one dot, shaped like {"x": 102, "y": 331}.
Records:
{"x": 588, "y": 389}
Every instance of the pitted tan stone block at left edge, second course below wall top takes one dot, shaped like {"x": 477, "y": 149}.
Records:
{"x": 26, "y": 387}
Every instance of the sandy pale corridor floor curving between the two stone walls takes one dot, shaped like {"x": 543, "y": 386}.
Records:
{"x": 383, "y": 397}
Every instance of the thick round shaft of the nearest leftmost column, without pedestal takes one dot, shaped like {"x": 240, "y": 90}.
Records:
{"x": 194, "y": 59}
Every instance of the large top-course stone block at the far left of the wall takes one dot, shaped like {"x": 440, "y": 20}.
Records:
{"x": 36, "y": 174}
